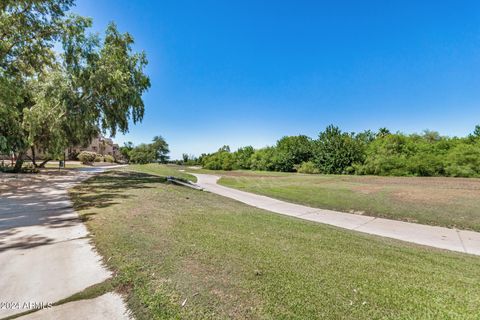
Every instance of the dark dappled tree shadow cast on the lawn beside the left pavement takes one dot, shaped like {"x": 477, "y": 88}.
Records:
{"x": 107, "y": 189}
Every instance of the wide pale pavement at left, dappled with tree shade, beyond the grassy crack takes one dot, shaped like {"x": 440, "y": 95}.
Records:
{"x": 45, "y": 251}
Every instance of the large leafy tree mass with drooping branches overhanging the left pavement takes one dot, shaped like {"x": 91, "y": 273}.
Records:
{"x": 91, "y": 86}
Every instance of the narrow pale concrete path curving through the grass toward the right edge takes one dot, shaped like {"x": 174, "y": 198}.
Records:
{"x": 438, "y": 237}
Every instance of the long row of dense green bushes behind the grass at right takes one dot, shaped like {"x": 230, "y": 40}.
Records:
{"x": 376, "y": 153}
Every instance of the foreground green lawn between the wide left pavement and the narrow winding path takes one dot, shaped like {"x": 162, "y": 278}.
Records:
{"x": 169, "y": 245}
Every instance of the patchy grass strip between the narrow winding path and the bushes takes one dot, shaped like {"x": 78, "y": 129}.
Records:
{"x": 448, "y": 202}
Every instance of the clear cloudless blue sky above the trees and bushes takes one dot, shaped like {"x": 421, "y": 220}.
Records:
{"x": 249, "y": 72}
